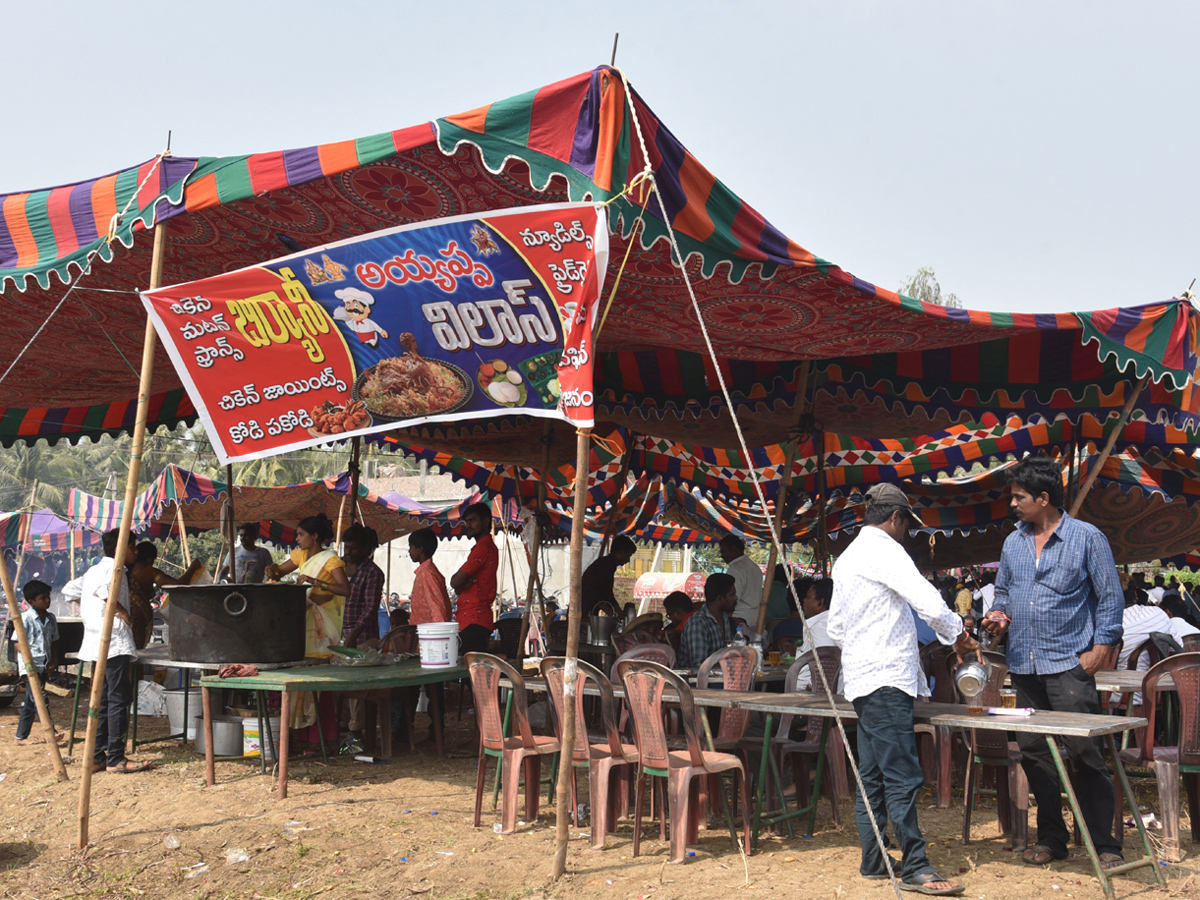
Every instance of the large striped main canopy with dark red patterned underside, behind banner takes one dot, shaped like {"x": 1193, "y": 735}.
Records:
{"x": 886, "y": 365}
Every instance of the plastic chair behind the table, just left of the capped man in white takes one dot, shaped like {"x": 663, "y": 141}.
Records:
{"x": 806, "y": 751}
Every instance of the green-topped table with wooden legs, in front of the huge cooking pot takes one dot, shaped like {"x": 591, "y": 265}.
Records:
{"x": 406, "y": 674}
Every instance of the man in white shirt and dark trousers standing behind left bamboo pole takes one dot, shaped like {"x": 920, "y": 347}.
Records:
{"x": 115, "y": 705}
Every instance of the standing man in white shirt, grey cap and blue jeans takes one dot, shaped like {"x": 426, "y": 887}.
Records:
{"x": 875, "y": 586}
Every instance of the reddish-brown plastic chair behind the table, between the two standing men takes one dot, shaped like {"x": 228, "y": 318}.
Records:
{"x": 989, "y": 748}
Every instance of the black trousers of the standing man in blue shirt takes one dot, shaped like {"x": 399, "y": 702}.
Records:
{"x": 1071, "y": 692}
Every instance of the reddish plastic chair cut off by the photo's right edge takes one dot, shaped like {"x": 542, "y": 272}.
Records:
{"x": 1167, "y": 765}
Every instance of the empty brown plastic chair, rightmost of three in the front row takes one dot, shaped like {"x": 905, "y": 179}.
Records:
{"x": 683, "y": 770}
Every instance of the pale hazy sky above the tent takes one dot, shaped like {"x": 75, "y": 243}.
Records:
{"x": 1037, "y": 155}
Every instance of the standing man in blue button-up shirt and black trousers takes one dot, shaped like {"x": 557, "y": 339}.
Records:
{"x": 1059, "y": 599}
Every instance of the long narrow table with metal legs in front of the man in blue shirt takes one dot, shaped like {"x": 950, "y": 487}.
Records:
{"x": 1047, "y": 723}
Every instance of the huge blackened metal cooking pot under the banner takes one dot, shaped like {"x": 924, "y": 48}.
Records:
{"x": 237, "y": 623}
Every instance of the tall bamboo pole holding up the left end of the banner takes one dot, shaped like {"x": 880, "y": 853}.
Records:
{"x": 123, "y": 541}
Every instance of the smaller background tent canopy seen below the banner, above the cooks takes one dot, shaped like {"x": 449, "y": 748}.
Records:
{"x": 178, "y": 494}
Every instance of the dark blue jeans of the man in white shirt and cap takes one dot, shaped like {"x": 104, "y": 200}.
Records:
{"x": 892, "y": 777}
